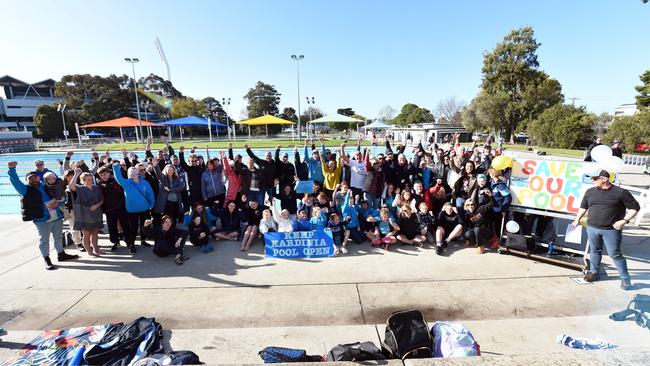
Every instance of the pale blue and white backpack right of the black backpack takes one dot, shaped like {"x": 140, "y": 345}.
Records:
{"x": 453, "y": 340}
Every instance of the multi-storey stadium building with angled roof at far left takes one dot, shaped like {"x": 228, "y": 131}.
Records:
{"x": 19, "y": 101}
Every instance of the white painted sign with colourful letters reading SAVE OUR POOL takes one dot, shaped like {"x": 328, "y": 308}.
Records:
{"x": 550, "y": 185}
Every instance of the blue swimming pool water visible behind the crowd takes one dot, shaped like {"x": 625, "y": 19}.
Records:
{"x": 10, "y": 200}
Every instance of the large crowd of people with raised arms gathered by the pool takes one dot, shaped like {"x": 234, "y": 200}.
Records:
{"x": 441, "y": 194}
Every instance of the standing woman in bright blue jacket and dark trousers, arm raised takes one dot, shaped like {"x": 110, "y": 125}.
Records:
{"x": 139, "y": 199}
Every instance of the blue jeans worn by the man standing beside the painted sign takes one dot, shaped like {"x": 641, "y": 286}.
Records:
{"x": 611, "y": 239}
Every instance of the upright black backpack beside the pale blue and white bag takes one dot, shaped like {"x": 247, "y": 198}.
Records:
{"x": 407, "y": 336}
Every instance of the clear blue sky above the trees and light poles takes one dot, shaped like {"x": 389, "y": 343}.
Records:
{"x": 358, "y": 54}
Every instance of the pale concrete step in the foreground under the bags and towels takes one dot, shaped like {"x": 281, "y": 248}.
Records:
{"x": 525, "y": 341}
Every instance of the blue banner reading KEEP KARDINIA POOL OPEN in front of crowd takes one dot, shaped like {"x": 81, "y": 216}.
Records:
{"x": 299, "y": 244}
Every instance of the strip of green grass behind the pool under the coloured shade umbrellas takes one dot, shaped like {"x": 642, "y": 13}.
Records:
{"x": 255, "y": 143}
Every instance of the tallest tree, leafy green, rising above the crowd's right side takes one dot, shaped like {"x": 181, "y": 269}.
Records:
{"x": 511, "y": 69}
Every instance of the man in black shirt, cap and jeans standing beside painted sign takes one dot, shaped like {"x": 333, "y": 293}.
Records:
{"x": 607, "y": 206}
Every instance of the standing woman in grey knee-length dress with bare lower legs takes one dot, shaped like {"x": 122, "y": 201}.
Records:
{"x": 88, "y": 217}
